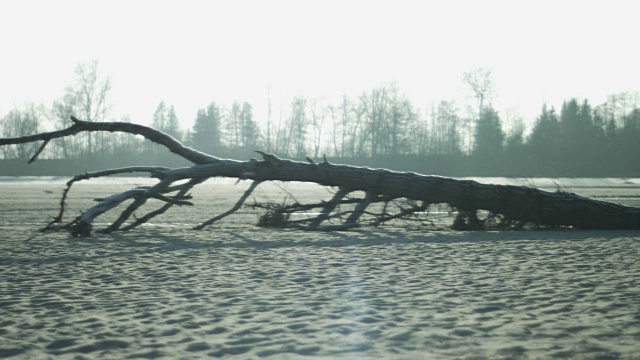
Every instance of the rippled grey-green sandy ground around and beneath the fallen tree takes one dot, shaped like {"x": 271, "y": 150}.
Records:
{"x": 235, "y": 290}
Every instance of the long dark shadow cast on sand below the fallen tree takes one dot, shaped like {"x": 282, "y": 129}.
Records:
{"x": 249, "y": 239}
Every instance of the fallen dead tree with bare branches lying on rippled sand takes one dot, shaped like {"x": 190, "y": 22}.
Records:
{"x": 504, "y": 206}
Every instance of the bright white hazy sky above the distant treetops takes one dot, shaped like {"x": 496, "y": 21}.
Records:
{"x": 188, "y": 53}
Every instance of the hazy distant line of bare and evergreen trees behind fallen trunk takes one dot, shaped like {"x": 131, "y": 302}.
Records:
{"x": 380, "y": 127}
